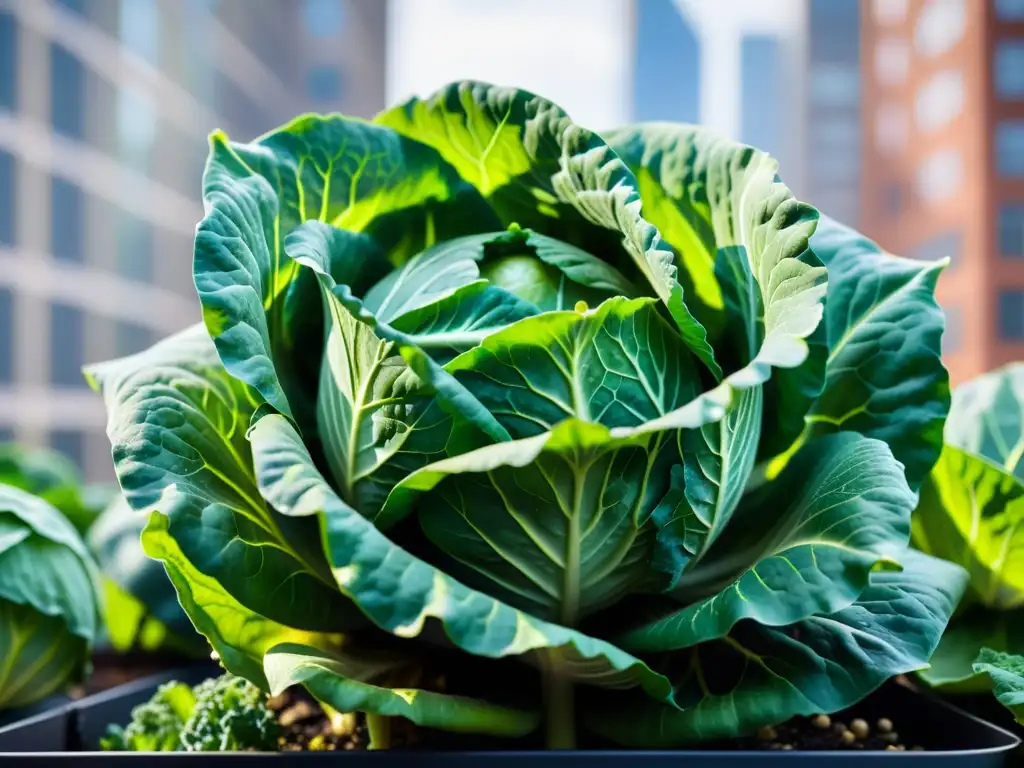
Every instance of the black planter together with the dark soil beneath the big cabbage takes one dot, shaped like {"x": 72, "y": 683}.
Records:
{"x": 947, "y": 737}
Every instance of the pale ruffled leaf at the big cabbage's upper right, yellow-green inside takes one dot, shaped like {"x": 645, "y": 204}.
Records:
{"x": 743, "y": 239}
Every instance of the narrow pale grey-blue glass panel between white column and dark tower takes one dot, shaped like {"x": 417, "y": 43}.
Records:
{"x": 762, "y": 98}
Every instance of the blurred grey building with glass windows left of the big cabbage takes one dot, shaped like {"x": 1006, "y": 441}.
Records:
{"x": 105, "y": 110}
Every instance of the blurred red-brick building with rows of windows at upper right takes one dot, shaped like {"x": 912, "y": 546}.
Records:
{"x": 944, "y": 107}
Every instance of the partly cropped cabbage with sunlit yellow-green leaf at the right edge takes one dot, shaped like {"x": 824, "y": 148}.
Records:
{"x": 972, "y": 514}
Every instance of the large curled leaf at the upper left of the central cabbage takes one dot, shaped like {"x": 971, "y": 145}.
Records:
{"x": 349, "y": 174}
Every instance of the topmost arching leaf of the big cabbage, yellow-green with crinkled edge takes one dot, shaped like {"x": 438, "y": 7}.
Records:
{"x": 539, "y": 169}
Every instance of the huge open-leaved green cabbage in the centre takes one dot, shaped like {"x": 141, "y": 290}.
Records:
{"x": 476, "y": 387}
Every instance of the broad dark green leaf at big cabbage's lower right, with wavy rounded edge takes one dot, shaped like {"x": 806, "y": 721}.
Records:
{"x": 842, "y": 509}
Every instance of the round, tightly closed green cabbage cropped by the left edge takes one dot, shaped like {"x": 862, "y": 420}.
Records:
{"x": 50, "y": 601}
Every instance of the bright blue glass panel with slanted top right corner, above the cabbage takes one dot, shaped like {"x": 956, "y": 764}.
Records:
{"x": 670, "y": 47}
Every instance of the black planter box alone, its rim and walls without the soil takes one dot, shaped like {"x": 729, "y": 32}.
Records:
{"x": 72, "y": 731}
